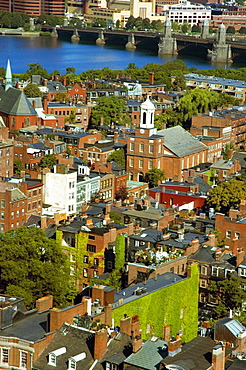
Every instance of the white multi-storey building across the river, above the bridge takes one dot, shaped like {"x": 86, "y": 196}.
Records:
{"x": 187, "y": 12}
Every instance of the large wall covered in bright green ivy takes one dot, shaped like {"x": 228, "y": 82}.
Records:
{"x": 175, "y": 305}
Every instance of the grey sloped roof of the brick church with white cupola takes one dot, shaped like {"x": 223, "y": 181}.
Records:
{"x": 181, "y": 142}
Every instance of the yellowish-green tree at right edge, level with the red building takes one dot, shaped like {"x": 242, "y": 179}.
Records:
{"x": 227, "y": 195}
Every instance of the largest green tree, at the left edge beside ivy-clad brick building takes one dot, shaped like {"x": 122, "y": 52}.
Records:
{"x": 33, "y": 266}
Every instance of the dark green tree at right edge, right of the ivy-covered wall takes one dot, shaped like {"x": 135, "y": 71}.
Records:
{"x": 229, "y": 294}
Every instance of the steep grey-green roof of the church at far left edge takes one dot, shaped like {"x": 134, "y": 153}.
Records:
{"x": 15, "y": 102}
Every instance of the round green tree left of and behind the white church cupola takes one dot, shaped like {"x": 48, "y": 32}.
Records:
{"x": 110, "y": 109}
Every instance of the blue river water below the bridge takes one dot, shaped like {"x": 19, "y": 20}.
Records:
{"x": 54, "y": 53}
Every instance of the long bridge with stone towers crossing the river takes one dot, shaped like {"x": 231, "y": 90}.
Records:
{"x": 162, "y": 43}
